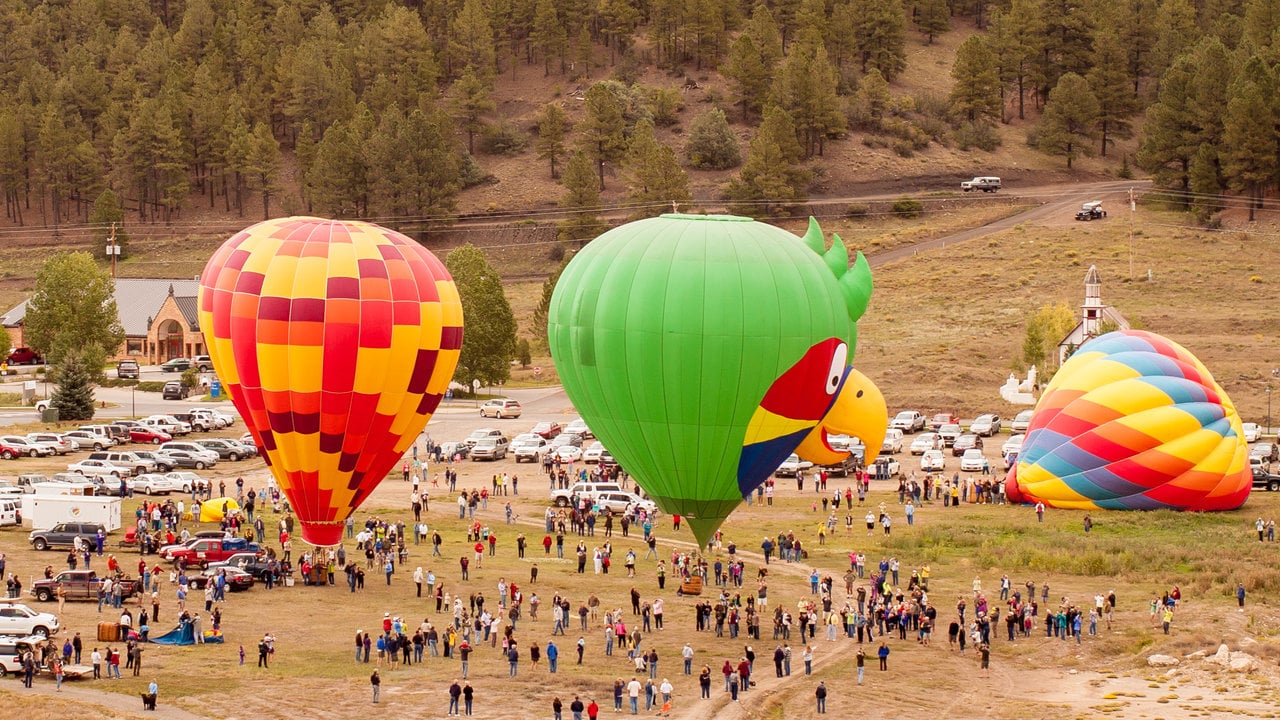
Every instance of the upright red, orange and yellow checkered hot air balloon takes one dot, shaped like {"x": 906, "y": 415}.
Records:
{"x": 337, "y": 341}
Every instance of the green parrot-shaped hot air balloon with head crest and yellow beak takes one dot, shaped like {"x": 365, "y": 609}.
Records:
{"x": 703, "y": 349}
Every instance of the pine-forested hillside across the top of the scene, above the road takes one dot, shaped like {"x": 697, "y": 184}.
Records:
{"x": 147, "y": 111}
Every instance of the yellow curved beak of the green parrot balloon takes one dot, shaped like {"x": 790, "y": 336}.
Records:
{"x": 860, "y": 412}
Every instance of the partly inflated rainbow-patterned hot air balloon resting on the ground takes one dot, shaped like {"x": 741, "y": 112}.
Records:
{"x": 1133, "y": 422}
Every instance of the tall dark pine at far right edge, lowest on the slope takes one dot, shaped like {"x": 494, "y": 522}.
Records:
{"x": 1250, "y": 148}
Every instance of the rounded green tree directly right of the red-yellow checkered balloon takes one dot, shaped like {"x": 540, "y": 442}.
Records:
{"x": 491, "y": 335}
